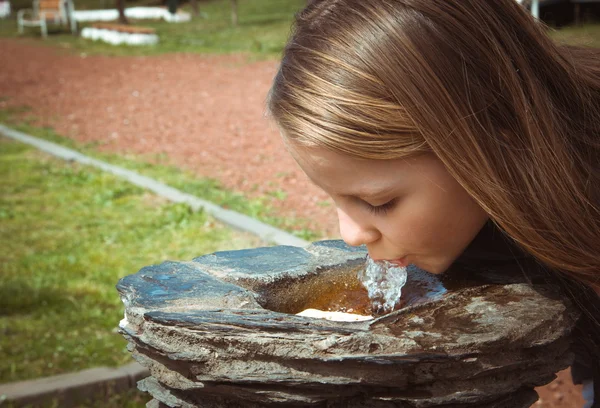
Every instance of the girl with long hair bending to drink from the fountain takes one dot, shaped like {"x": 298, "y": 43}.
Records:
{"x": 452, "y": 130}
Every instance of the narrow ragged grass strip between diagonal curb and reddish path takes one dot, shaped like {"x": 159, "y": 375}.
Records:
{"x": 155, "y": 166}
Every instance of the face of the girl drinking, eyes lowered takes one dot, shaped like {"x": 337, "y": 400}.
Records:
{"x": 409, "y": 211}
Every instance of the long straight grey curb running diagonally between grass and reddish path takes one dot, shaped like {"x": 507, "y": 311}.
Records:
{"x": 232, "y": 218}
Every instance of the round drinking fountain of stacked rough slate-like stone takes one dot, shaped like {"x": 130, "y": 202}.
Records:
{"x": 223, "y": 331}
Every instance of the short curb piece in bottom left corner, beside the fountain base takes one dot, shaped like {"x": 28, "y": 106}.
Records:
{"x": 73, "y": 388}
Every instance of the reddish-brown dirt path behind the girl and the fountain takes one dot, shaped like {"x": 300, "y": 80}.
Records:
{"x": 204, "y": 112}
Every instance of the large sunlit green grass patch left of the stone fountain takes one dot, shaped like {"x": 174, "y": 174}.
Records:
{"x": 67, "y": 234}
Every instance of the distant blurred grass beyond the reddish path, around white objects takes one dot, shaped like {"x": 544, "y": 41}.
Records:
{"x": 262, "y": 31}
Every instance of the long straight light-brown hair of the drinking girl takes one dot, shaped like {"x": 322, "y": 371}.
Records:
{"x": 514, "y": 116}
